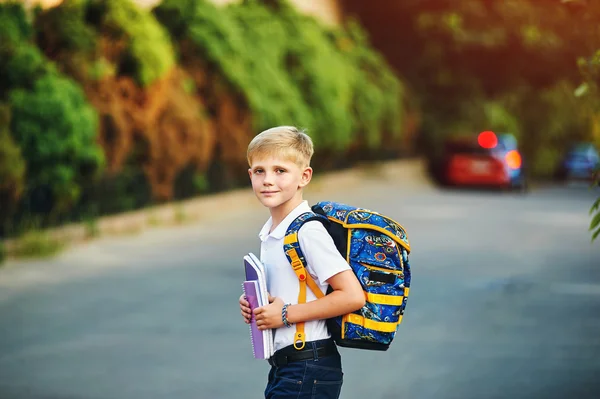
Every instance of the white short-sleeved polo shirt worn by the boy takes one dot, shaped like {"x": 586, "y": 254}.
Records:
{"x": 322, "y": 257}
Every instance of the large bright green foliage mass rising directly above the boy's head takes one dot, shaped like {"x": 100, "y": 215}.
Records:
{"x": 290, "y": 69}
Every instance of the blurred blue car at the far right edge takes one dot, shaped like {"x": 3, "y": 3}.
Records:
{"x": 579, "y": 163}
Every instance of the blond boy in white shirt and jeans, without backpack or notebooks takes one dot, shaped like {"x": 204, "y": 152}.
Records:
{"x": 279, "y": 160}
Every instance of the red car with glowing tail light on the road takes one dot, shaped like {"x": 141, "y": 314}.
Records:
{"x": 488, "y": 160}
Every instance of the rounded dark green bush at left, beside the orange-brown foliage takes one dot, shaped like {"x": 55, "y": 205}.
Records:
{"x": 56, "y": 129}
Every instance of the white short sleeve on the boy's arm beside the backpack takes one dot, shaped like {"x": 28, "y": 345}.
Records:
{"x": 322, "y": 257}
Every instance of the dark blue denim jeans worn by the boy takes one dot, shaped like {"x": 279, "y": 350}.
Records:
{"x": 307, "y": 379}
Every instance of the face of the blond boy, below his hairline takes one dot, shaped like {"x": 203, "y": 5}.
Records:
{"x": 277, "y": 182}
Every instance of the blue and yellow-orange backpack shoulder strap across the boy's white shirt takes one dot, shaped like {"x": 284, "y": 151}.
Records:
{"x": 294, "y": 254}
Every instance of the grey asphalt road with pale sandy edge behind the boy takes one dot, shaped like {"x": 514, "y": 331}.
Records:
{"x": 505, "y": 303}
